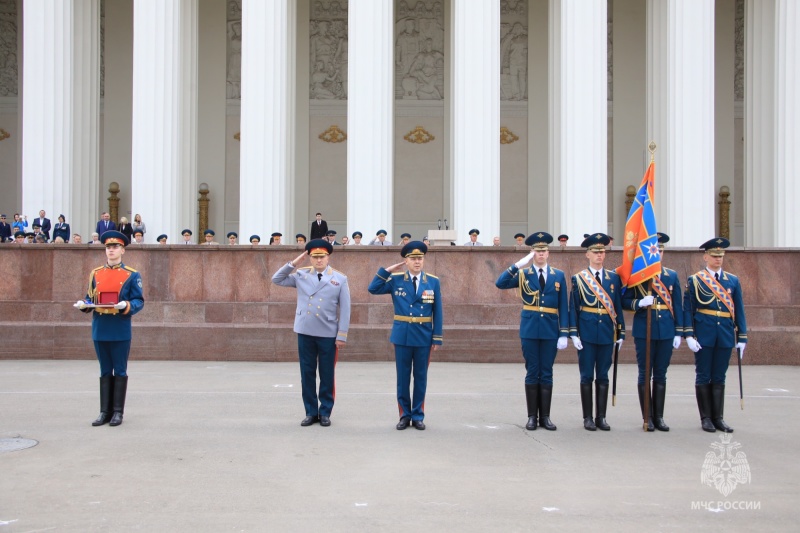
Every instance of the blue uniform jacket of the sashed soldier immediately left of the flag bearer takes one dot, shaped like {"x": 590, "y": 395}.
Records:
{"x": 593, "y": 327}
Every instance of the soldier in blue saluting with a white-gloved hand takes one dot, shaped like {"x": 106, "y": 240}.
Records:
{"x": 544, "y": 323}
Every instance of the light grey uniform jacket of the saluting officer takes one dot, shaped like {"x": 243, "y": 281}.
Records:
{"x": 323, "y": 306}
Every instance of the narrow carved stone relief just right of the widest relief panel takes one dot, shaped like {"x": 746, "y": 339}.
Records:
{"x": 514, "y": 50}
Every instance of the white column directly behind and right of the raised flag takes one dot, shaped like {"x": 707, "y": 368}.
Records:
{"x": 680, "y": 116}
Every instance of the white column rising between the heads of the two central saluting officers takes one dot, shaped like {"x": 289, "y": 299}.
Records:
{"x": 370, "y": 117}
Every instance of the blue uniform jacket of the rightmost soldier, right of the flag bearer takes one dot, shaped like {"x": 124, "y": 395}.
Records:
{"x": 711, "y": 330}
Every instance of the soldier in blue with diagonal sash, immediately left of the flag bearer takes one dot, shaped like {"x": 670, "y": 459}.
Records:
{"x": 595, "y": 324}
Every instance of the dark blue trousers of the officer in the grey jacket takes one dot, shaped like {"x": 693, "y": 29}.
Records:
{"x": 314, "y": 351}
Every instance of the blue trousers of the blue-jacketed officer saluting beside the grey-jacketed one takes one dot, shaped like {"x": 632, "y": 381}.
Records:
{"x": 408, "y": 360}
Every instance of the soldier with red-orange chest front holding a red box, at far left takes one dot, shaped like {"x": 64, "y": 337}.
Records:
{"x": 111, "y": 326}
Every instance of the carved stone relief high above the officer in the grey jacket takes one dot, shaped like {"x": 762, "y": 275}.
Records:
{"x": 328, "y": 50}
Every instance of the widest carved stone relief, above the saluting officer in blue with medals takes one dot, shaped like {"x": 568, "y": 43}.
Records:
{"x": 419, "y": 50}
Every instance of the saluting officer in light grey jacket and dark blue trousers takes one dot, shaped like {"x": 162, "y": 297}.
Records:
{"x": 321, "y": 322}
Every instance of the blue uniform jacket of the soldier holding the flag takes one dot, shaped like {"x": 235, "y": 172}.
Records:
{"x": 663, "y": 325}
